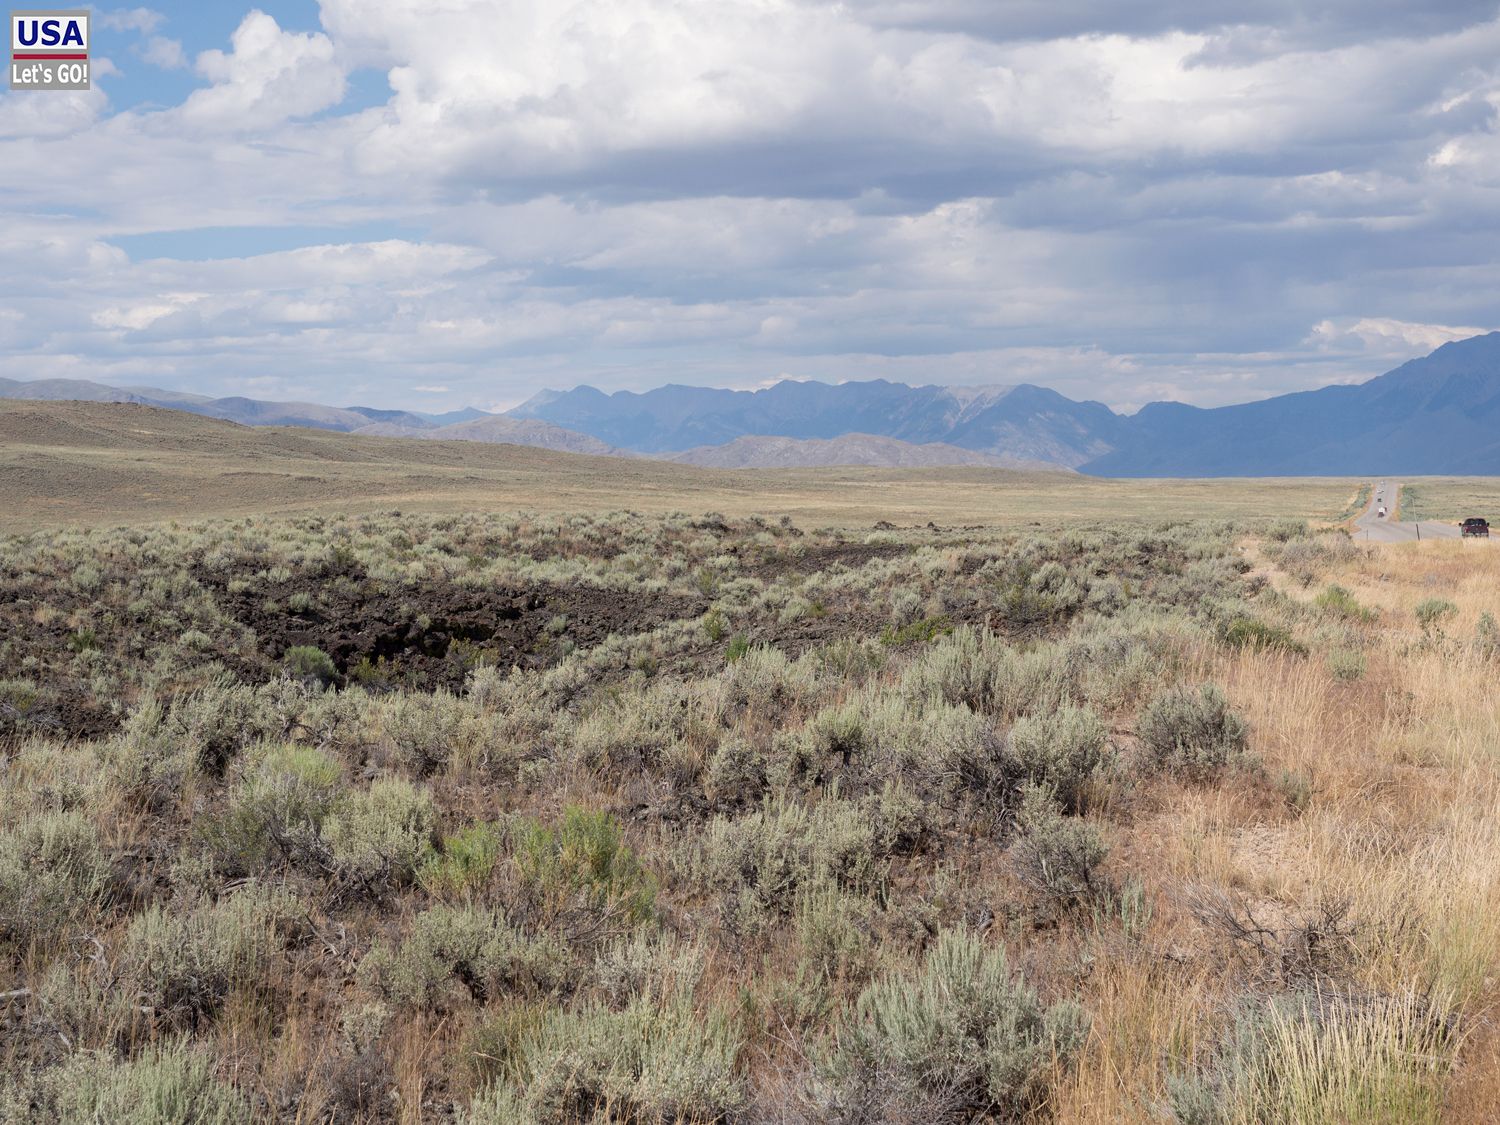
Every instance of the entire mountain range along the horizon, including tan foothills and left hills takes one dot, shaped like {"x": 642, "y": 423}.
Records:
{"x": 1439, "y": 415}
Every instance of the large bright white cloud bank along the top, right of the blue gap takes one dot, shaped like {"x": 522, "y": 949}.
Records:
{"x": 520, "y": 91}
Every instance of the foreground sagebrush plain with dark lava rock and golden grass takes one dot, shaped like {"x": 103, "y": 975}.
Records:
{"x": 629, "y": 818}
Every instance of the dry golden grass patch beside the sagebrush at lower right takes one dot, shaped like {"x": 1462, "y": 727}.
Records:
{"x": 1400, "y": 824}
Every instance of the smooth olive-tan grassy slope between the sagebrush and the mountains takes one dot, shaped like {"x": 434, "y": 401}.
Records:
{"x": 100, "y": 464}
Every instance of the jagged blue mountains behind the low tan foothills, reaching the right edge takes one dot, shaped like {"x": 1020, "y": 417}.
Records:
{"x": 1439, "y": 415}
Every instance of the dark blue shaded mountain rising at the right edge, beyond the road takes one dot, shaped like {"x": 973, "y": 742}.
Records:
{"x": 1439, "y": 415}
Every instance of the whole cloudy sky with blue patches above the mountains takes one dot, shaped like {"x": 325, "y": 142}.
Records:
{"x": 443, "y": 203}
